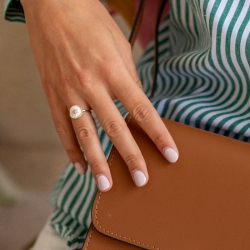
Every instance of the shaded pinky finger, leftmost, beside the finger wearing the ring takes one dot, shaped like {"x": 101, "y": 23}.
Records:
{"x": 67, "y": 135}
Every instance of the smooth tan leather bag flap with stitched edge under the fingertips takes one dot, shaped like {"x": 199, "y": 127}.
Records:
{"x": 200, "y": 202}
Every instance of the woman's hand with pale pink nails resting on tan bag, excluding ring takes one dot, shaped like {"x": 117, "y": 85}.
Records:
{"x": 84, "y": 59}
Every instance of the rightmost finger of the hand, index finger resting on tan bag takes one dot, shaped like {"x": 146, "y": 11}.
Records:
{"x": 140, "y": 107}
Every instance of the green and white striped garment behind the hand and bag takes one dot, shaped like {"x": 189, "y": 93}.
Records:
{"x": 203, "y": 81}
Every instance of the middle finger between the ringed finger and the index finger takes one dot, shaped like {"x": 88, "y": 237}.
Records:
{"x": 118, "y": 132}
